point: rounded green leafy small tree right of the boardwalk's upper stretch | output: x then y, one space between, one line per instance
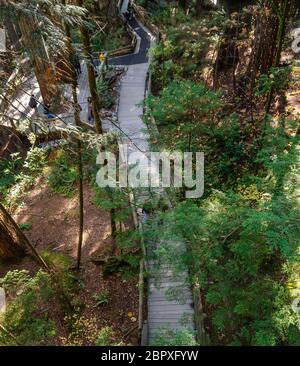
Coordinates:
183 109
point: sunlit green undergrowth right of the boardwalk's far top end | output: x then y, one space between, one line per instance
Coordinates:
180 54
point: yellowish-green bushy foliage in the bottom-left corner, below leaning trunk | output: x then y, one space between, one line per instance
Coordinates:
26 317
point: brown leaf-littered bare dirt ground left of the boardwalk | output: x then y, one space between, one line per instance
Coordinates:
54 226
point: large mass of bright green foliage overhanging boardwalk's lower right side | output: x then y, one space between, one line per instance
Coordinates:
244 249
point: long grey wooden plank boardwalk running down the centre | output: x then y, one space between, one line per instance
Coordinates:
164 313
